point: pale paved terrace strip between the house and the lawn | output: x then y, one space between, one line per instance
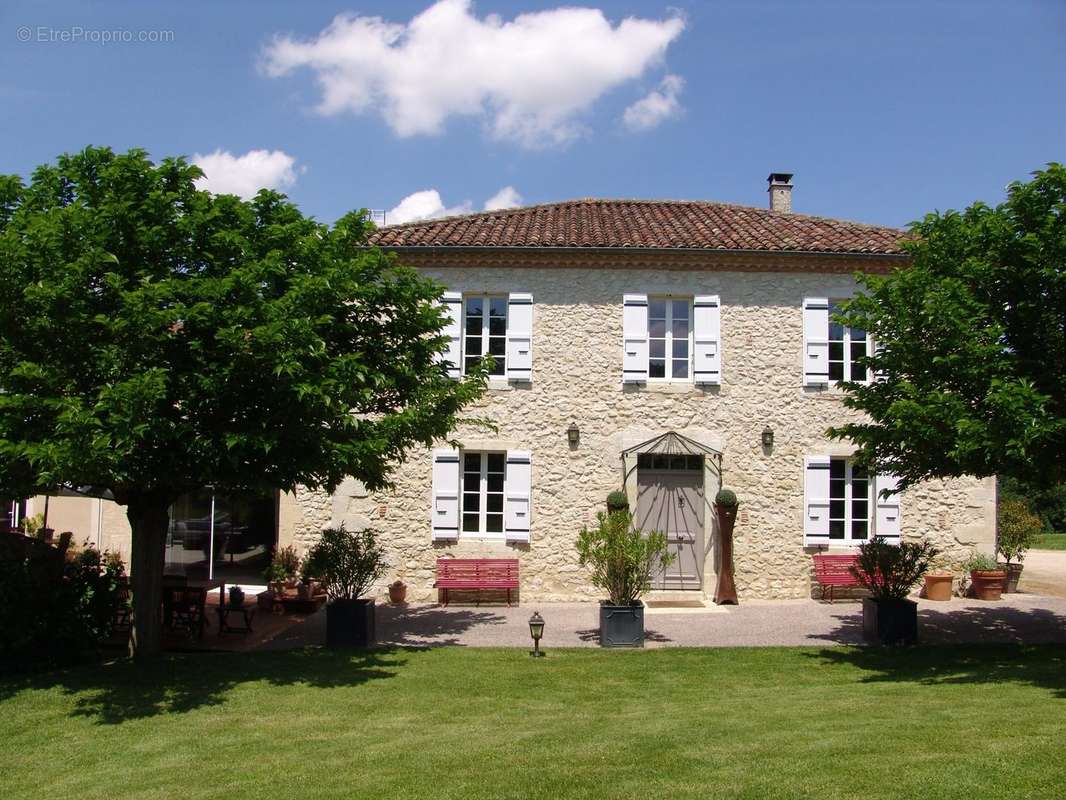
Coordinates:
1019 618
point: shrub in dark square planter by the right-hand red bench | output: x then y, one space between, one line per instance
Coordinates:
890 572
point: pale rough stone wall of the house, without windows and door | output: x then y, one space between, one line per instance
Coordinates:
577 378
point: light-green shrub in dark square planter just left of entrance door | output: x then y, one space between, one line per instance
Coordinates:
623 562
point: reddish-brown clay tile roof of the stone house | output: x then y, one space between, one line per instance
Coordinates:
651 225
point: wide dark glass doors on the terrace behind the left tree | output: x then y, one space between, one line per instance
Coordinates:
236 545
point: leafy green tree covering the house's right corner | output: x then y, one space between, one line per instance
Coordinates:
971 339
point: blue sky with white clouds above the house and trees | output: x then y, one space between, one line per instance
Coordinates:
883 110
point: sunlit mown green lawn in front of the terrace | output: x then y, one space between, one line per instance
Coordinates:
965 723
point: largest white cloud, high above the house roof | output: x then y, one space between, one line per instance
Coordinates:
531 78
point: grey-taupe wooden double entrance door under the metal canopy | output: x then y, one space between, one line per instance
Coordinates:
670 498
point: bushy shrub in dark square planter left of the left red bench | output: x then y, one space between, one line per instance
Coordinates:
347 564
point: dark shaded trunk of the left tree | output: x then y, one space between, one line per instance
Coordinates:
150 520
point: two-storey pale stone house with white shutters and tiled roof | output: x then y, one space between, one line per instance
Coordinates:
665 348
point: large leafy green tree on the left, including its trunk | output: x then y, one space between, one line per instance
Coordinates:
156 339
